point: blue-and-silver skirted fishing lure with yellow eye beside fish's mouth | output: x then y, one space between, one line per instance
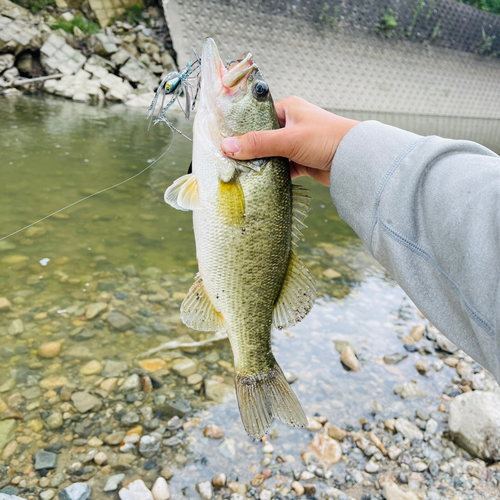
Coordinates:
175 84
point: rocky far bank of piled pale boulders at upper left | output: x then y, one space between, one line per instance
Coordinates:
61 52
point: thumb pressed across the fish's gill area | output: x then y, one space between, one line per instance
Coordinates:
258 144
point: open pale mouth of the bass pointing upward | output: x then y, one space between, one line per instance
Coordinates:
218 79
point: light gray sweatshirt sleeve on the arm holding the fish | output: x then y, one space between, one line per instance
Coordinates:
428 210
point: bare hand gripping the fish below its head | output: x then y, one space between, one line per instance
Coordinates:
309 138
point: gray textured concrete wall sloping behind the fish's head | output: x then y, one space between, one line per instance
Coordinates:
342 65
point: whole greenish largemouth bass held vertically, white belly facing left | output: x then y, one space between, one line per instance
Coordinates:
247 216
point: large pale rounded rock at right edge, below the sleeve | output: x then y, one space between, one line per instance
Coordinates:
475 421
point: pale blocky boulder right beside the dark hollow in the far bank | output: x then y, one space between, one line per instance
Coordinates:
57 56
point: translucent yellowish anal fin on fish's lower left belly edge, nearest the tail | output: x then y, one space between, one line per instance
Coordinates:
198 311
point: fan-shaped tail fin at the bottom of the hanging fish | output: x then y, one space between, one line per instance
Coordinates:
263 397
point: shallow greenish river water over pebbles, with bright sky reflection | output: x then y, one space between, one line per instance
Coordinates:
125 250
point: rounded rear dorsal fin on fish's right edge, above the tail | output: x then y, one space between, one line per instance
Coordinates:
297 295
